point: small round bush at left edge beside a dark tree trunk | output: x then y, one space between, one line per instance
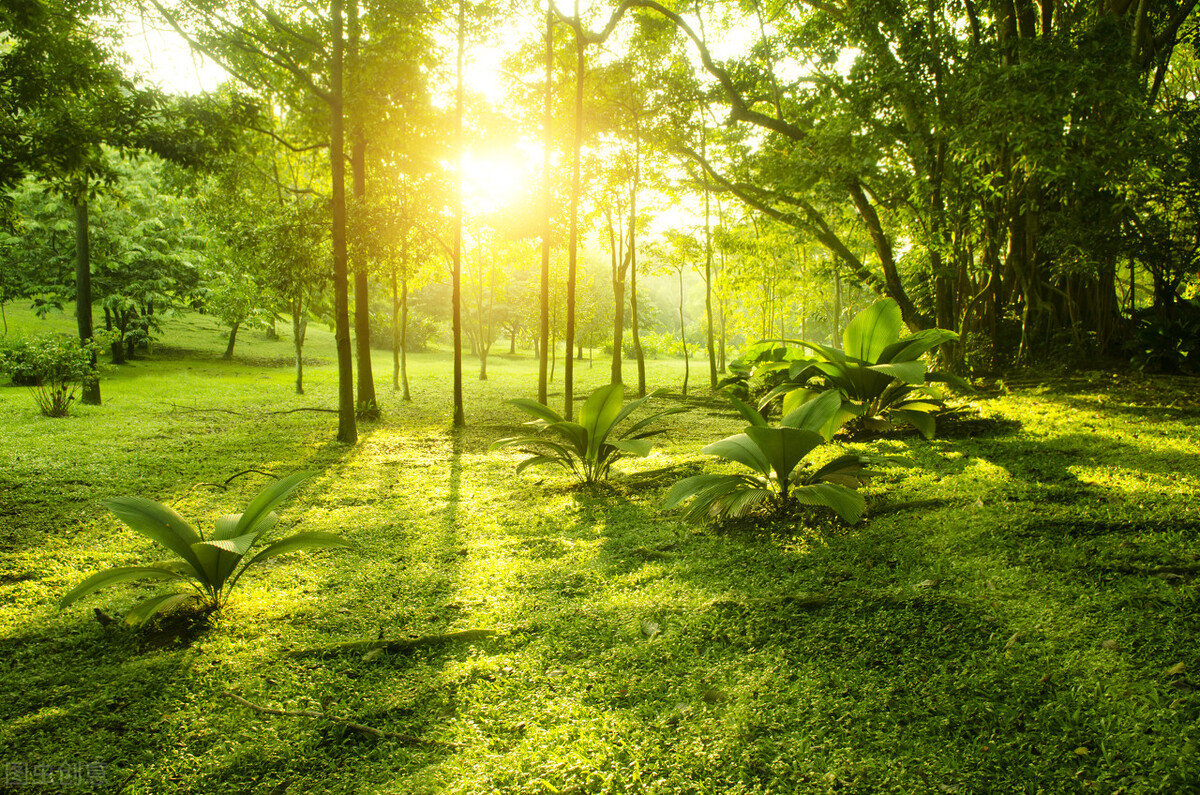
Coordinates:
55 367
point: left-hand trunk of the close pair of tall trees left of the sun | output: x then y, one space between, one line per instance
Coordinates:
347 423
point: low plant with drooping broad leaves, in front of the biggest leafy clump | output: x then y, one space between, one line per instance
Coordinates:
777 457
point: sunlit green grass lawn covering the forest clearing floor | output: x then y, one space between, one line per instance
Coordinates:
1018 612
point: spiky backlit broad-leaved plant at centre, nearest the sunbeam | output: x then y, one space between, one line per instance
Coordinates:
589 449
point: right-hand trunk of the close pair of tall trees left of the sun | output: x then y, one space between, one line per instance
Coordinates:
368 401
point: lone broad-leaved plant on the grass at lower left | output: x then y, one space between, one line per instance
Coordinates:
209 567
